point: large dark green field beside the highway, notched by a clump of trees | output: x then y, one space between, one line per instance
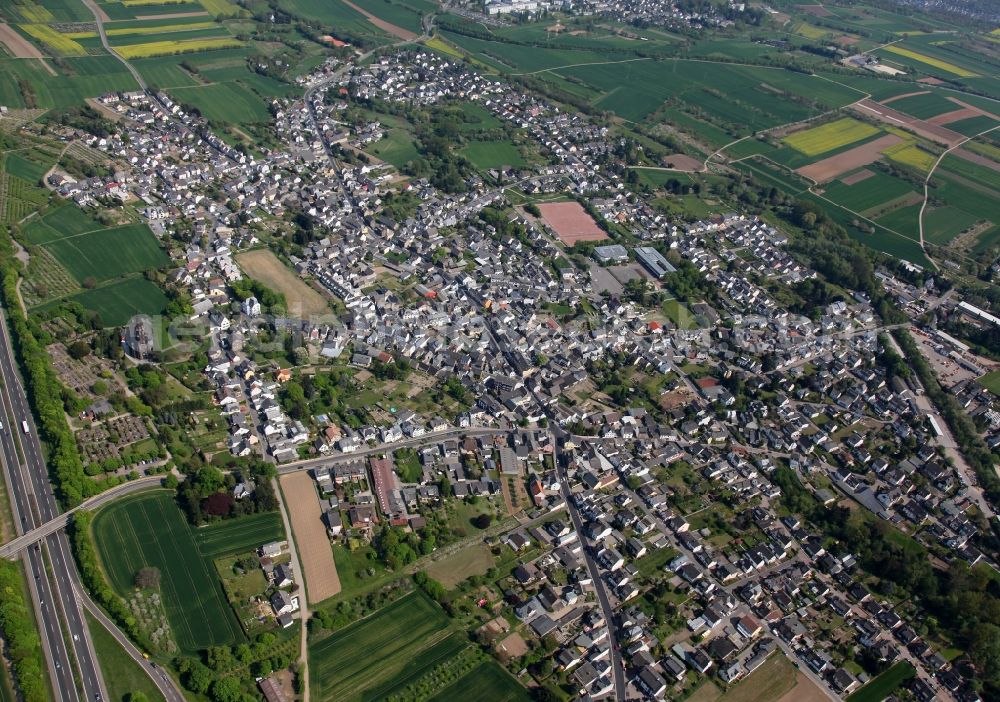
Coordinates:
147 529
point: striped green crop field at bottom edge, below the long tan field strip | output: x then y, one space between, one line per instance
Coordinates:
374 657
